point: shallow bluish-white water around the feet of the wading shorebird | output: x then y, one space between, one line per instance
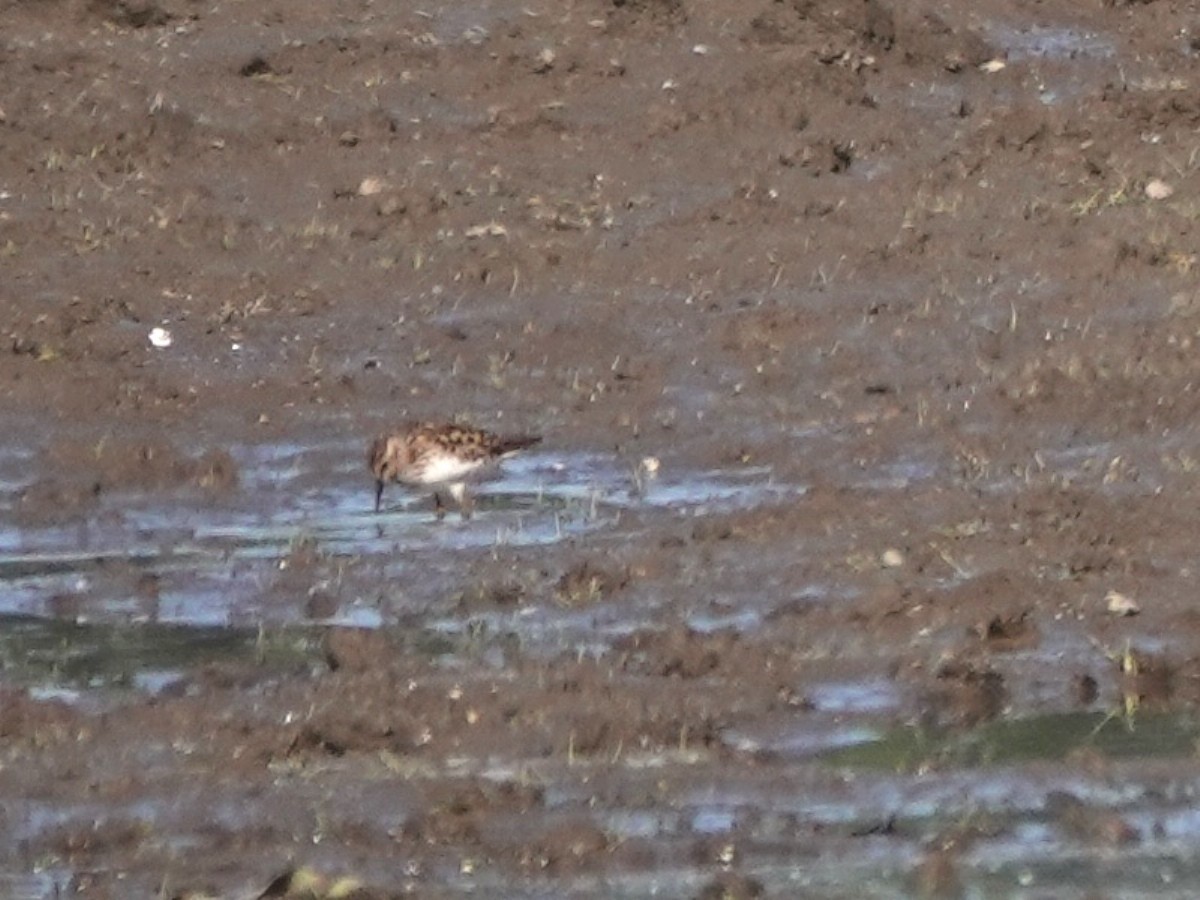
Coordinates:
211 562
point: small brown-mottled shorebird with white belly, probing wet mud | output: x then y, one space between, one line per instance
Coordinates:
440 457
